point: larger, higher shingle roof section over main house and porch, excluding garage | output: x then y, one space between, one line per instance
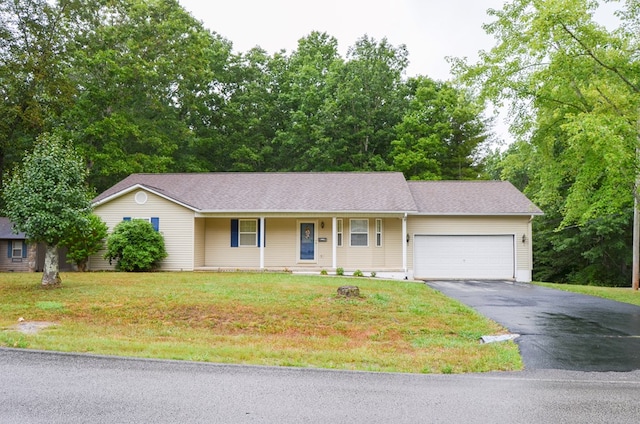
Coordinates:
278 192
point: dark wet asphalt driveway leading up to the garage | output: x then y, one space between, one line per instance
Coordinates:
558 330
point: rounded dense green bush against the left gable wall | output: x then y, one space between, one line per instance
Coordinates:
135 246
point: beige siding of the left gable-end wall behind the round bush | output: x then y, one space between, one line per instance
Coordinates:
176 225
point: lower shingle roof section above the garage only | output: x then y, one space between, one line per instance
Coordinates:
470 198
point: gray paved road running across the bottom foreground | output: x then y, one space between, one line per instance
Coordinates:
44 387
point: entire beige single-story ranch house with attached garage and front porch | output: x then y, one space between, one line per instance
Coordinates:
368 221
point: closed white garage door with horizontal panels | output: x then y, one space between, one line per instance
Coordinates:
464 256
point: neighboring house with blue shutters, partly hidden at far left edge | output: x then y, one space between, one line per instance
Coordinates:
16 254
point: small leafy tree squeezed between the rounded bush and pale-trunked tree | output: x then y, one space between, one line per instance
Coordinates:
85 241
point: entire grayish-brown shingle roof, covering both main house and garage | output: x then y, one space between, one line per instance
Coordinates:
329 192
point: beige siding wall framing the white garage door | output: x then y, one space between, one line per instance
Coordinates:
466 225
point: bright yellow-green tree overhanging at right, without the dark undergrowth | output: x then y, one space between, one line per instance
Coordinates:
574 89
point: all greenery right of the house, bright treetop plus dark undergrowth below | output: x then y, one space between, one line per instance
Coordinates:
574 91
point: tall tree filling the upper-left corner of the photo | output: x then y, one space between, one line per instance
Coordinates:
35 88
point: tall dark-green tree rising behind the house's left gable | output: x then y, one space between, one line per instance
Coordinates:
148 91
